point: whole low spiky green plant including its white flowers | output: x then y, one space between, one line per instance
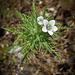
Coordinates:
36 32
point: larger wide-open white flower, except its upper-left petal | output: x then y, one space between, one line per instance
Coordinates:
50 28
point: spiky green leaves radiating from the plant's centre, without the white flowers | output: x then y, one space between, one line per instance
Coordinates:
31 35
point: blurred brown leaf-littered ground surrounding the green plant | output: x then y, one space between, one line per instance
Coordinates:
63 11
